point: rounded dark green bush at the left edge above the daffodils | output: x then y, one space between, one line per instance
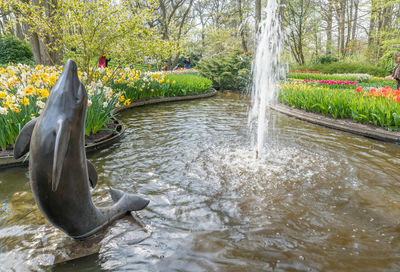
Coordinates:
15 51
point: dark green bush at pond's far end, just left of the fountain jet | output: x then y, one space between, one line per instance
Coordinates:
228 72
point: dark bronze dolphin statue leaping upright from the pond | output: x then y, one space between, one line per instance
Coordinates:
59 172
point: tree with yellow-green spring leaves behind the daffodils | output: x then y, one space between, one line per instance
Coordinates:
86 30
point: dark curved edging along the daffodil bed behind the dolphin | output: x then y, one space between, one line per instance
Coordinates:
9 161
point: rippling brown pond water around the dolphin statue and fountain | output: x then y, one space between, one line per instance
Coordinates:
318 199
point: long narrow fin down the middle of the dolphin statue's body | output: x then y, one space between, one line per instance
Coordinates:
60 150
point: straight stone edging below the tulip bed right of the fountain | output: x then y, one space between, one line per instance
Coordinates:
346 125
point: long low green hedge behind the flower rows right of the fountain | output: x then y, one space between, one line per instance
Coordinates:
341 67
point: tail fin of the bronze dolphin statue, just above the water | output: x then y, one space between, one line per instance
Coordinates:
127 201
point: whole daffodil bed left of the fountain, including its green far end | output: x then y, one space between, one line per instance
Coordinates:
24 91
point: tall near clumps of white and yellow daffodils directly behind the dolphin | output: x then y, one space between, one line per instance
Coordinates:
24 92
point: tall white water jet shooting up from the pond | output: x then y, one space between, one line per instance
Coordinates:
266 74
